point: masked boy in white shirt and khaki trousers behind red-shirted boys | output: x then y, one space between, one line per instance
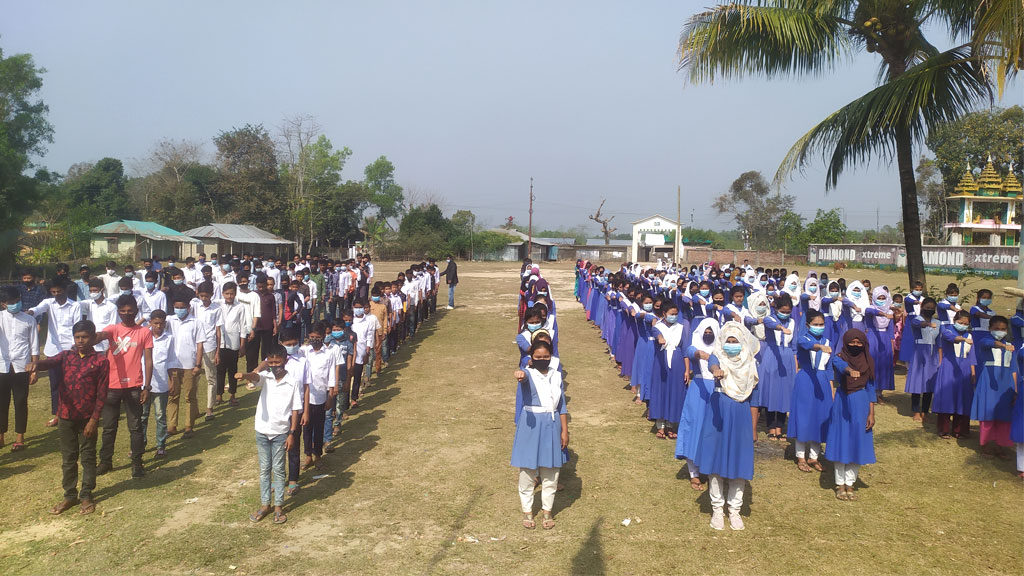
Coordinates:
189 338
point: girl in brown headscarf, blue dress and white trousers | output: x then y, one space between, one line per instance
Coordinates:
850 442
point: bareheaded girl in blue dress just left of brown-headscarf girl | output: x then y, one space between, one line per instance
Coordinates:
813 393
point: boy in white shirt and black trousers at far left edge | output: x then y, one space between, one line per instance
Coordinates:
19 348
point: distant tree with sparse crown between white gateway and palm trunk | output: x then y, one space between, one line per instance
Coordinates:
756 209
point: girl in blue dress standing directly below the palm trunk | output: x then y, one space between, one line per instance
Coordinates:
924 363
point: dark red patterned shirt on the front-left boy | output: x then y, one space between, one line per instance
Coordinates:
83 392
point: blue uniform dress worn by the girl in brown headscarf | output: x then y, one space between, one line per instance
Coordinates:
847 442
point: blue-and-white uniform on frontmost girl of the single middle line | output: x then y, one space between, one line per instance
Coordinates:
538 433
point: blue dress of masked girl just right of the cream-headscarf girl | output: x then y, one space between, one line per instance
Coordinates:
778 371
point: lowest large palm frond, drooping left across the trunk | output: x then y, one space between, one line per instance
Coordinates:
942 90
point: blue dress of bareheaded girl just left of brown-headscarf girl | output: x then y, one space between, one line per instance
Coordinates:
813 398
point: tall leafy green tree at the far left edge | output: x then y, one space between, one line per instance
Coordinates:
24 133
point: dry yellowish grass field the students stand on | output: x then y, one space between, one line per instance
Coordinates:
421 483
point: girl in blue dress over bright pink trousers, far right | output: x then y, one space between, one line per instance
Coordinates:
994 397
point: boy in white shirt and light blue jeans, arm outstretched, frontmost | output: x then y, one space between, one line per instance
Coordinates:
277 422
